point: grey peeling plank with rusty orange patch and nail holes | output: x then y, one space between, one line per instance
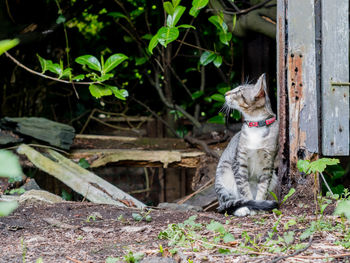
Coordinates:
301 75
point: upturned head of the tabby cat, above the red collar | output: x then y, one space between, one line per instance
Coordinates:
250 99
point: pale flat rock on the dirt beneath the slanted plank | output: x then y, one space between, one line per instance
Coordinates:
39 197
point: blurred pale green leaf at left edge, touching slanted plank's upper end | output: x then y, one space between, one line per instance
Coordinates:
9 164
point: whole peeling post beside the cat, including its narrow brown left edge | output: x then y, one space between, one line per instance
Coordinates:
297 72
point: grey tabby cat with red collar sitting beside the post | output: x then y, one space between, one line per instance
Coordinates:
245 173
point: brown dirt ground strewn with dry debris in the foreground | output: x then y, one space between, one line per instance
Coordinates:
86 232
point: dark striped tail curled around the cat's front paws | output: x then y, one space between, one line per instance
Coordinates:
231 205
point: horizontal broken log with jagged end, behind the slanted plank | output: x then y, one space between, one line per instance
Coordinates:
159 158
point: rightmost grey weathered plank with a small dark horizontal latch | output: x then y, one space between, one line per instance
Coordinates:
335 68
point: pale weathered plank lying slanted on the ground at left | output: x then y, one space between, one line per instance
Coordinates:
84 182
